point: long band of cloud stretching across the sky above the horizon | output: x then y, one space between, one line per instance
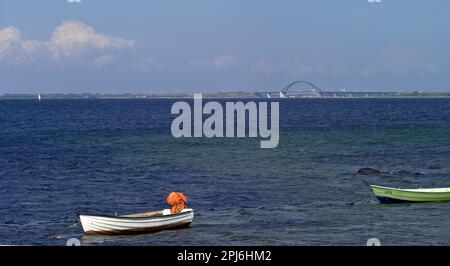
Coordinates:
75 41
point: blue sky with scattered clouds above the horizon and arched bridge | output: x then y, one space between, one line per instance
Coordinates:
131 46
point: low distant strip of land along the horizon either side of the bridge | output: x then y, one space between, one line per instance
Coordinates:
238 94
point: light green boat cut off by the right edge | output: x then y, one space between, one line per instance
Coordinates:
398 195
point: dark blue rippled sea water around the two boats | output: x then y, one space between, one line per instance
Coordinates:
59 158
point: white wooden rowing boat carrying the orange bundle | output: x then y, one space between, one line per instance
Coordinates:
136 223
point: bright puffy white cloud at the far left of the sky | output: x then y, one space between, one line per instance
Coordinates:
70 39
